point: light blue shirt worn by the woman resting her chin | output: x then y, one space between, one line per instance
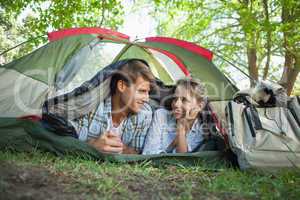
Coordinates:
162 132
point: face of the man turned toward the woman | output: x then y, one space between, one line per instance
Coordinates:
135 95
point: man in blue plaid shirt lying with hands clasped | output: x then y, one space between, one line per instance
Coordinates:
121 121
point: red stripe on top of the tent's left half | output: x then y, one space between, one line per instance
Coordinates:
57 35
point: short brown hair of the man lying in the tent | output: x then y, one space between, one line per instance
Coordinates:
129 72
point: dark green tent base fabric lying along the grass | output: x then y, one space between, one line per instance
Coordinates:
27 135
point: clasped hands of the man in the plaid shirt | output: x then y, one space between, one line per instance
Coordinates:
108 142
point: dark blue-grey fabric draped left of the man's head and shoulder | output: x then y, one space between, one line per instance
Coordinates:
85 98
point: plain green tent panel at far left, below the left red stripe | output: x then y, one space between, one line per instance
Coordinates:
44 63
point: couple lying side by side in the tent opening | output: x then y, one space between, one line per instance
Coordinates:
124 122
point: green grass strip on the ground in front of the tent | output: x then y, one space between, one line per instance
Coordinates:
144 181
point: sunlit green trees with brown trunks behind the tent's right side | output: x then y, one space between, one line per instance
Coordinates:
248 32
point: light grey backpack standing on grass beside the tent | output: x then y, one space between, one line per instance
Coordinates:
264 136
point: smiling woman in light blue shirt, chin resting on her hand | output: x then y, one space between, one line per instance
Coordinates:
180 129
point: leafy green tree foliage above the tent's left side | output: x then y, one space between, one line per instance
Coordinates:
34 18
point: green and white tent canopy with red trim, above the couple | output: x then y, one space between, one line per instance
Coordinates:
75 55
